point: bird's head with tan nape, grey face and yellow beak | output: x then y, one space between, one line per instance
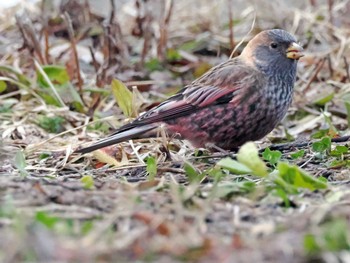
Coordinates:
273 50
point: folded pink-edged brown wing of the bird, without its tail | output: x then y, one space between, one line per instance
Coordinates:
220 85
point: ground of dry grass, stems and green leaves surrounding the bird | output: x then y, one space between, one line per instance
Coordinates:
161 200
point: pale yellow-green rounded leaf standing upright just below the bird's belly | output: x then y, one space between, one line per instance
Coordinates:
248 155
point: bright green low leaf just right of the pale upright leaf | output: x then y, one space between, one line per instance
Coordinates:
293 175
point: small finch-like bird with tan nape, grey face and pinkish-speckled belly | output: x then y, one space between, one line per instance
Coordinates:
239 100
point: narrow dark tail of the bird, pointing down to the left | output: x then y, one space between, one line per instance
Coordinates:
133 133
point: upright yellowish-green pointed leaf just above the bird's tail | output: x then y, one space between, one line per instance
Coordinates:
123 96
